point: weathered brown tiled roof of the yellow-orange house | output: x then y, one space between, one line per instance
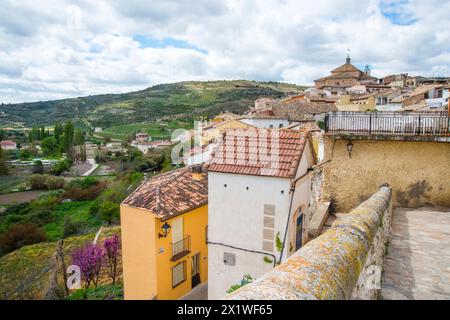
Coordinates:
171 194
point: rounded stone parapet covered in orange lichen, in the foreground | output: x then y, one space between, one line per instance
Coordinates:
335 265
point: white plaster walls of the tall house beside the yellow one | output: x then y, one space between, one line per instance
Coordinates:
236 218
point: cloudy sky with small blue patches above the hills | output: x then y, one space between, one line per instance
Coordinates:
60 48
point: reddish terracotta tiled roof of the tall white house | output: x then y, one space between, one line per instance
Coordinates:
261 152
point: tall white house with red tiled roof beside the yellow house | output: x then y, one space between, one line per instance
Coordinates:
259 188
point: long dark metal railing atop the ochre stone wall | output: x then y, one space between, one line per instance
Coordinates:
388 123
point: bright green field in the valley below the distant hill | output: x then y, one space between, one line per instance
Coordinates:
157 130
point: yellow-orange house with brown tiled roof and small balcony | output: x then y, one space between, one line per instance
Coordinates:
164 228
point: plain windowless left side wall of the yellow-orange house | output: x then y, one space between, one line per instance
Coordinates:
138 253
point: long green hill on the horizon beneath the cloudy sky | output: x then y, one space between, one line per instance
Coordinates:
183 99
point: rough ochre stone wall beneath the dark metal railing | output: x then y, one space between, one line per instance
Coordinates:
418 172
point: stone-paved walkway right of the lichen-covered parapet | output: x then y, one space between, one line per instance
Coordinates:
417 265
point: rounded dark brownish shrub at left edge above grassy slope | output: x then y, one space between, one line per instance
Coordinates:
20 235
